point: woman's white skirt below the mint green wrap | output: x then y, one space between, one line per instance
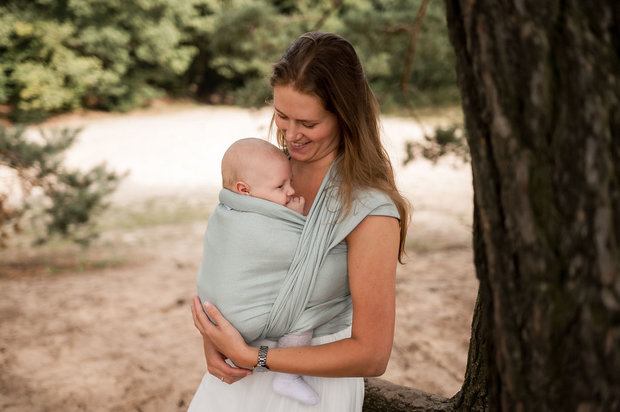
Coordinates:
255 394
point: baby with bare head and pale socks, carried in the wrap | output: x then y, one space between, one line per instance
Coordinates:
257 168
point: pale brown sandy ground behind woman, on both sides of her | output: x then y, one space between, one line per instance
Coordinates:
120 337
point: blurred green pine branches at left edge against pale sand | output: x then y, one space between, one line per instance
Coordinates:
62 202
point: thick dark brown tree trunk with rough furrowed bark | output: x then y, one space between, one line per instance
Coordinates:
540 87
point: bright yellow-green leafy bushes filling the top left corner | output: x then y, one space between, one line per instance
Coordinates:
110 55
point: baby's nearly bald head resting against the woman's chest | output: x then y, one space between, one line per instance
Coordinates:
255 167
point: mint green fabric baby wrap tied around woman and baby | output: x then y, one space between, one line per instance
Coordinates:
272 271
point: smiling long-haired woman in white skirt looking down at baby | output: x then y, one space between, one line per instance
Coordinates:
327 120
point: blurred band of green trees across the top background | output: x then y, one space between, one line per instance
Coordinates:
113 55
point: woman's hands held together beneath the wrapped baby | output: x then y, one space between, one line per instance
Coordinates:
222 341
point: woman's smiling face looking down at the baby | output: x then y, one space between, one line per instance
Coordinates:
311 132
